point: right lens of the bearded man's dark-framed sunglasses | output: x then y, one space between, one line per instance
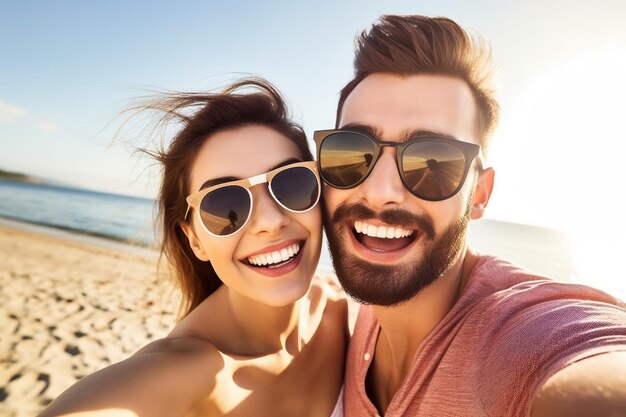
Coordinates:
433 170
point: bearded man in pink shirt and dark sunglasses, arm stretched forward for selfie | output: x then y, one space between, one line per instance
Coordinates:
446 331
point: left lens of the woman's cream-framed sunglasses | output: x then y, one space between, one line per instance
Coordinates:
225 210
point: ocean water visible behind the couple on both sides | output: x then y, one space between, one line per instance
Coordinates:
130 219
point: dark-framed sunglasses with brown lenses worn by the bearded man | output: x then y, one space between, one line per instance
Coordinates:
432 168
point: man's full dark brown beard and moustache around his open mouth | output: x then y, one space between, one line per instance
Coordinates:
395 274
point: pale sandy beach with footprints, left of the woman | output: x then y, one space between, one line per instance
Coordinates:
68 308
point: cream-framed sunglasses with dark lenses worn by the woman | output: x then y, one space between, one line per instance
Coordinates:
225 209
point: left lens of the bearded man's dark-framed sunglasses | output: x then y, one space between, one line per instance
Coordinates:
345 158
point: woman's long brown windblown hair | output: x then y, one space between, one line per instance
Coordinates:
248 101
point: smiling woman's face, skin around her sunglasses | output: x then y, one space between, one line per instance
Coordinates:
242 153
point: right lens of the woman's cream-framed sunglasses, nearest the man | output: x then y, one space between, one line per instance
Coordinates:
296 188
